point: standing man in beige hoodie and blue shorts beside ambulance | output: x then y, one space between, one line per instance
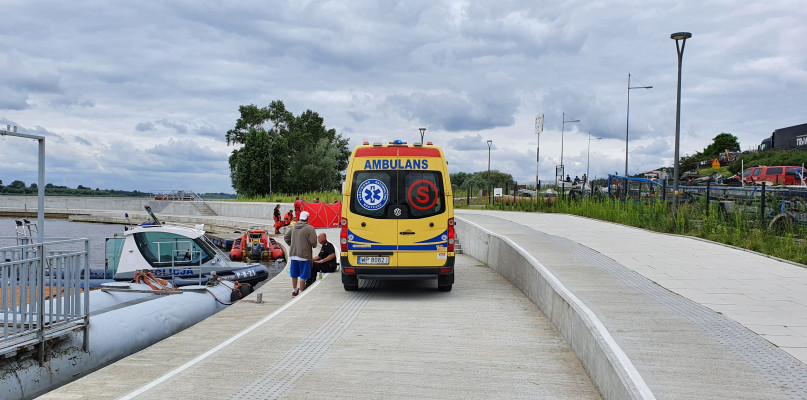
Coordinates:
302 239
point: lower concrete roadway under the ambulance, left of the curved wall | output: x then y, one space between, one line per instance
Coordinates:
402 339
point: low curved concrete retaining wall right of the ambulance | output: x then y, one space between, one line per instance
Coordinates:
607 365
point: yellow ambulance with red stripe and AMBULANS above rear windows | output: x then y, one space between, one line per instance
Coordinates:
397 215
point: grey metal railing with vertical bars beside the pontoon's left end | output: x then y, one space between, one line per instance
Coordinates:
42 293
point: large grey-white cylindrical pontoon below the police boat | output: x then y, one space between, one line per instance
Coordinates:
114 333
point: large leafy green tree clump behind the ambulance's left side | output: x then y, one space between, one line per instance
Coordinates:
304 156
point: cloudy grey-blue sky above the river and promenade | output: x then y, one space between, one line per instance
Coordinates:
139 95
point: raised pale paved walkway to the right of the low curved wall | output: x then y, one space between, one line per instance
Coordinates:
697 319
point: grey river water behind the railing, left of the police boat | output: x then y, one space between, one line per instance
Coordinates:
62 228
